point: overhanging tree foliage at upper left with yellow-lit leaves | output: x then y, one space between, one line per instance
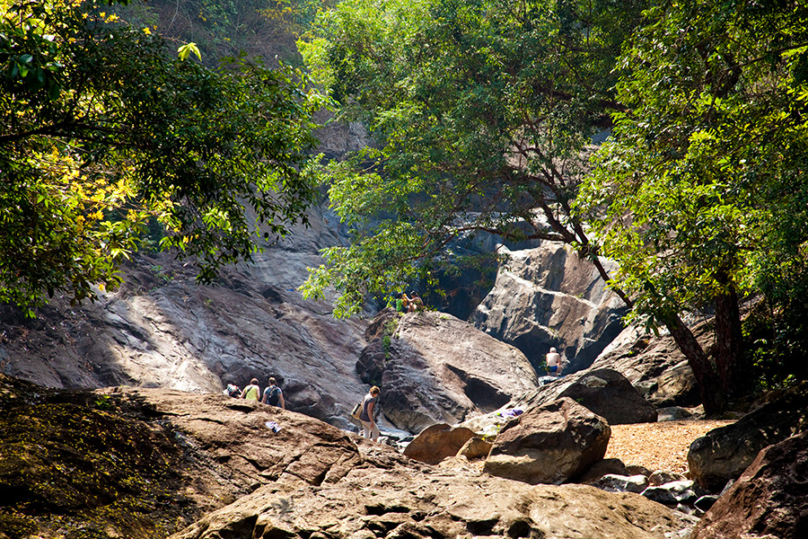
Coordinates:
101 131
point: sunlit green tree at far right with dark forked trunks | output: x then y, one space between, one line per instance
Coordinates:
701 197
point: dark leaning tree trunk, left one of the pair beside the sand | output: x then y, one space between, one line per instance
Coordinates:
710 389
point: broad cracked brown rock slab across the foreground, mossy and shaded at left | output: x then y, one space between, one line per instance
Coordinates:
215 470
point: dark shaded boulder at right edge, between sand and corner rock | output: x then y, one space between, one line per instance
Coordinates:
724 453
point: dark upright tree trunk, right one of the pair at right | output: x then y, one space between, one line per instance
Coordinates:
728 340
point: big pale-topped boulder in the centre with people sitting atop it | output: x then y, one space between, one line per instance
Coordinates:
438 369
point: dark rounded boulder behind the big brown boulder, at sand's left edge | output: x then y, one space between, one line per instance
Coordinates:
610 395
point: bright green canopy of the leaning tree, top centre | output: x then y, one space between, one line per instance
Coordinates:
480 111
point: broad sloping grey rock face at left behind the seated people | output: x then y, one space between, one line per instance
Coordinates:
162 330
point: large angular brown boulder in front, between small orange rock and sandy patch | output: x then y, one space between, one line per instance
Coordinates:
552 444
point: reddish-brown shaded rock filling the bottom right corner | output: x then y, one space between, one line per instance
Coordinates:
770 499
